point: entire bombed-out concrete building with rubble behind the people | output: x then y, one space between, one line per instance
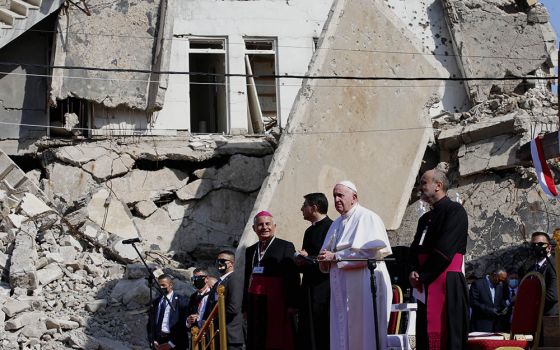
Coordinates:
176 120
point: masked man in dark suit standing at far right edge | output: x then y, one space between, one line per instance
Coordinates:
545 264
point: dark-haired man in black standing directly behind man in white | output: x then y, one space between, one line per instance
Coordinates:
313 326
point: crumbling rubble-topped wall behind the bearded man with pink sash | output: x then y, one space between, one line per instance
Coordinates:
498 189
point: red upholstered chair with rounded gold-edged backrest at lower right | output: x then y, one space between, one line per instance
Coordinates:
526 318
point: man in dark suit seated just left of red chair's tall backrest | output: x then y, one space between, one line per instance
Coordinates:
488 302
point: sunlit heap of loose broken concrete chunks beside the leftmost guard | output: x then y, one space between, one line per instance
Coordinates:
59 291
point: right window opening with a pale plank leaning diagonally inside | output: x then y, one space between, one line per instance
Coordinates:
255 126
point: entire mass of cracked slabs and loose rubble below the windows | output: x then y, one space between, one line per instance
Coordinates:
67 279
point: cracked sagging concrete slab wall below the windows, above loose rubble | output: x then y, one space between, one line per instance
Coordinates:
182 196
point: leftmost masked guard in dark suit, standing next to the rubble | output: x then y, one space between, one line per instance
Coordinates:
166 325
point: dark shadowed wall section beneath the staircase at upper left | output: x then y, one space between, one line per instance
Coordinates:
23 96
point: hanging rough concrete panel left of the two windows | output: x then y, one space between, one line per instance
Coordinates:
90 41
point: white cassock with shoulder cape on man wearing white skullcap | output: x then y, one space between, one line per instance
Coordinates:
360 233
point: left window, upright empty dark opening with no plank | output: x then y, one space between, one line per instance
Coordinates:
210 41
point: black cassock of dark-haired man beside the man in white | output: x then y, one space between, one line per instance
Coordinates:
314 326
